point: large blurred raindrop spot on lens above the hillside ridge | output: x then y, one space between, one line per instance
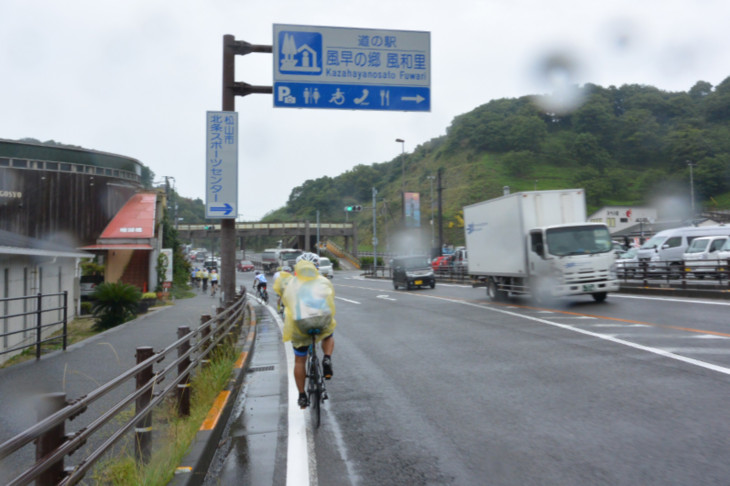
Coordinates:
557 73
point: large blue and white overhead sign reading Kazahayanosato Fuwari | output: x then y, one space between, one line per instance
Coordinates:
351 69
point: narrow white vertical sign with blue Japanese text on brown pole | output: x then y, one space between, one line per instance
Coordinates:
221 168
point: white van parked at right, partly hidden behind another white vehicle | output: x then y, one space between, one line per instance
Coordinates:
665 250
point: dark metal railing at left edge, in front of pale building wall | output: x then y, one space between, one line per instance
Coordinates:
39 327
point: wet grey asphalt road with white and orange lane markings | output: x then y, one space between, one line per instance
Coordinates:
441 386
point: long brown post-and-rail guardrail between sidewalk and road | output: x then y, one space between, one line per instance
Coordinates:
53 445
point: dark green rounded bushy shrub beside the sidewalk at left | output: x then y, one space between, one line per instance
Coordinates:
114 304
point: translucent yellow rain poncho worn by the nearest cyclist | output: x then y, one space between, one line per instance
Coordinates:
309 302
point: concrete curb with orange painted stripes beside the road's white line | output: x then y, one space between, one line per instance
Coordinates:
194 466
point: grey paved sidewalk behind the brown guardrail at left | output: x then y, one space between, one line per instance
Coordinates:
85 366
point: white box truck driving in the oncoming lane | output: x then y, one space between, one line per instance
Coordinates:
539 243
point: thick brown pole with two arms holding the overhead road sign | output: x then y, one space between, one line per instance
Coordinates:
231 89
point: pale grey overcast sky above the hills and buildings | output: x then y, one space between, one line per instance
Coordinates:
135 77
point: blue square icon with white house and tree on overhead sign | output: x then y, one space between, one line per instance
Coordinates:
301 53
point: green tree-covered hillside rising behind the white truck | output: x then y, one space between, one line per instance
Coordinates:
623 145
